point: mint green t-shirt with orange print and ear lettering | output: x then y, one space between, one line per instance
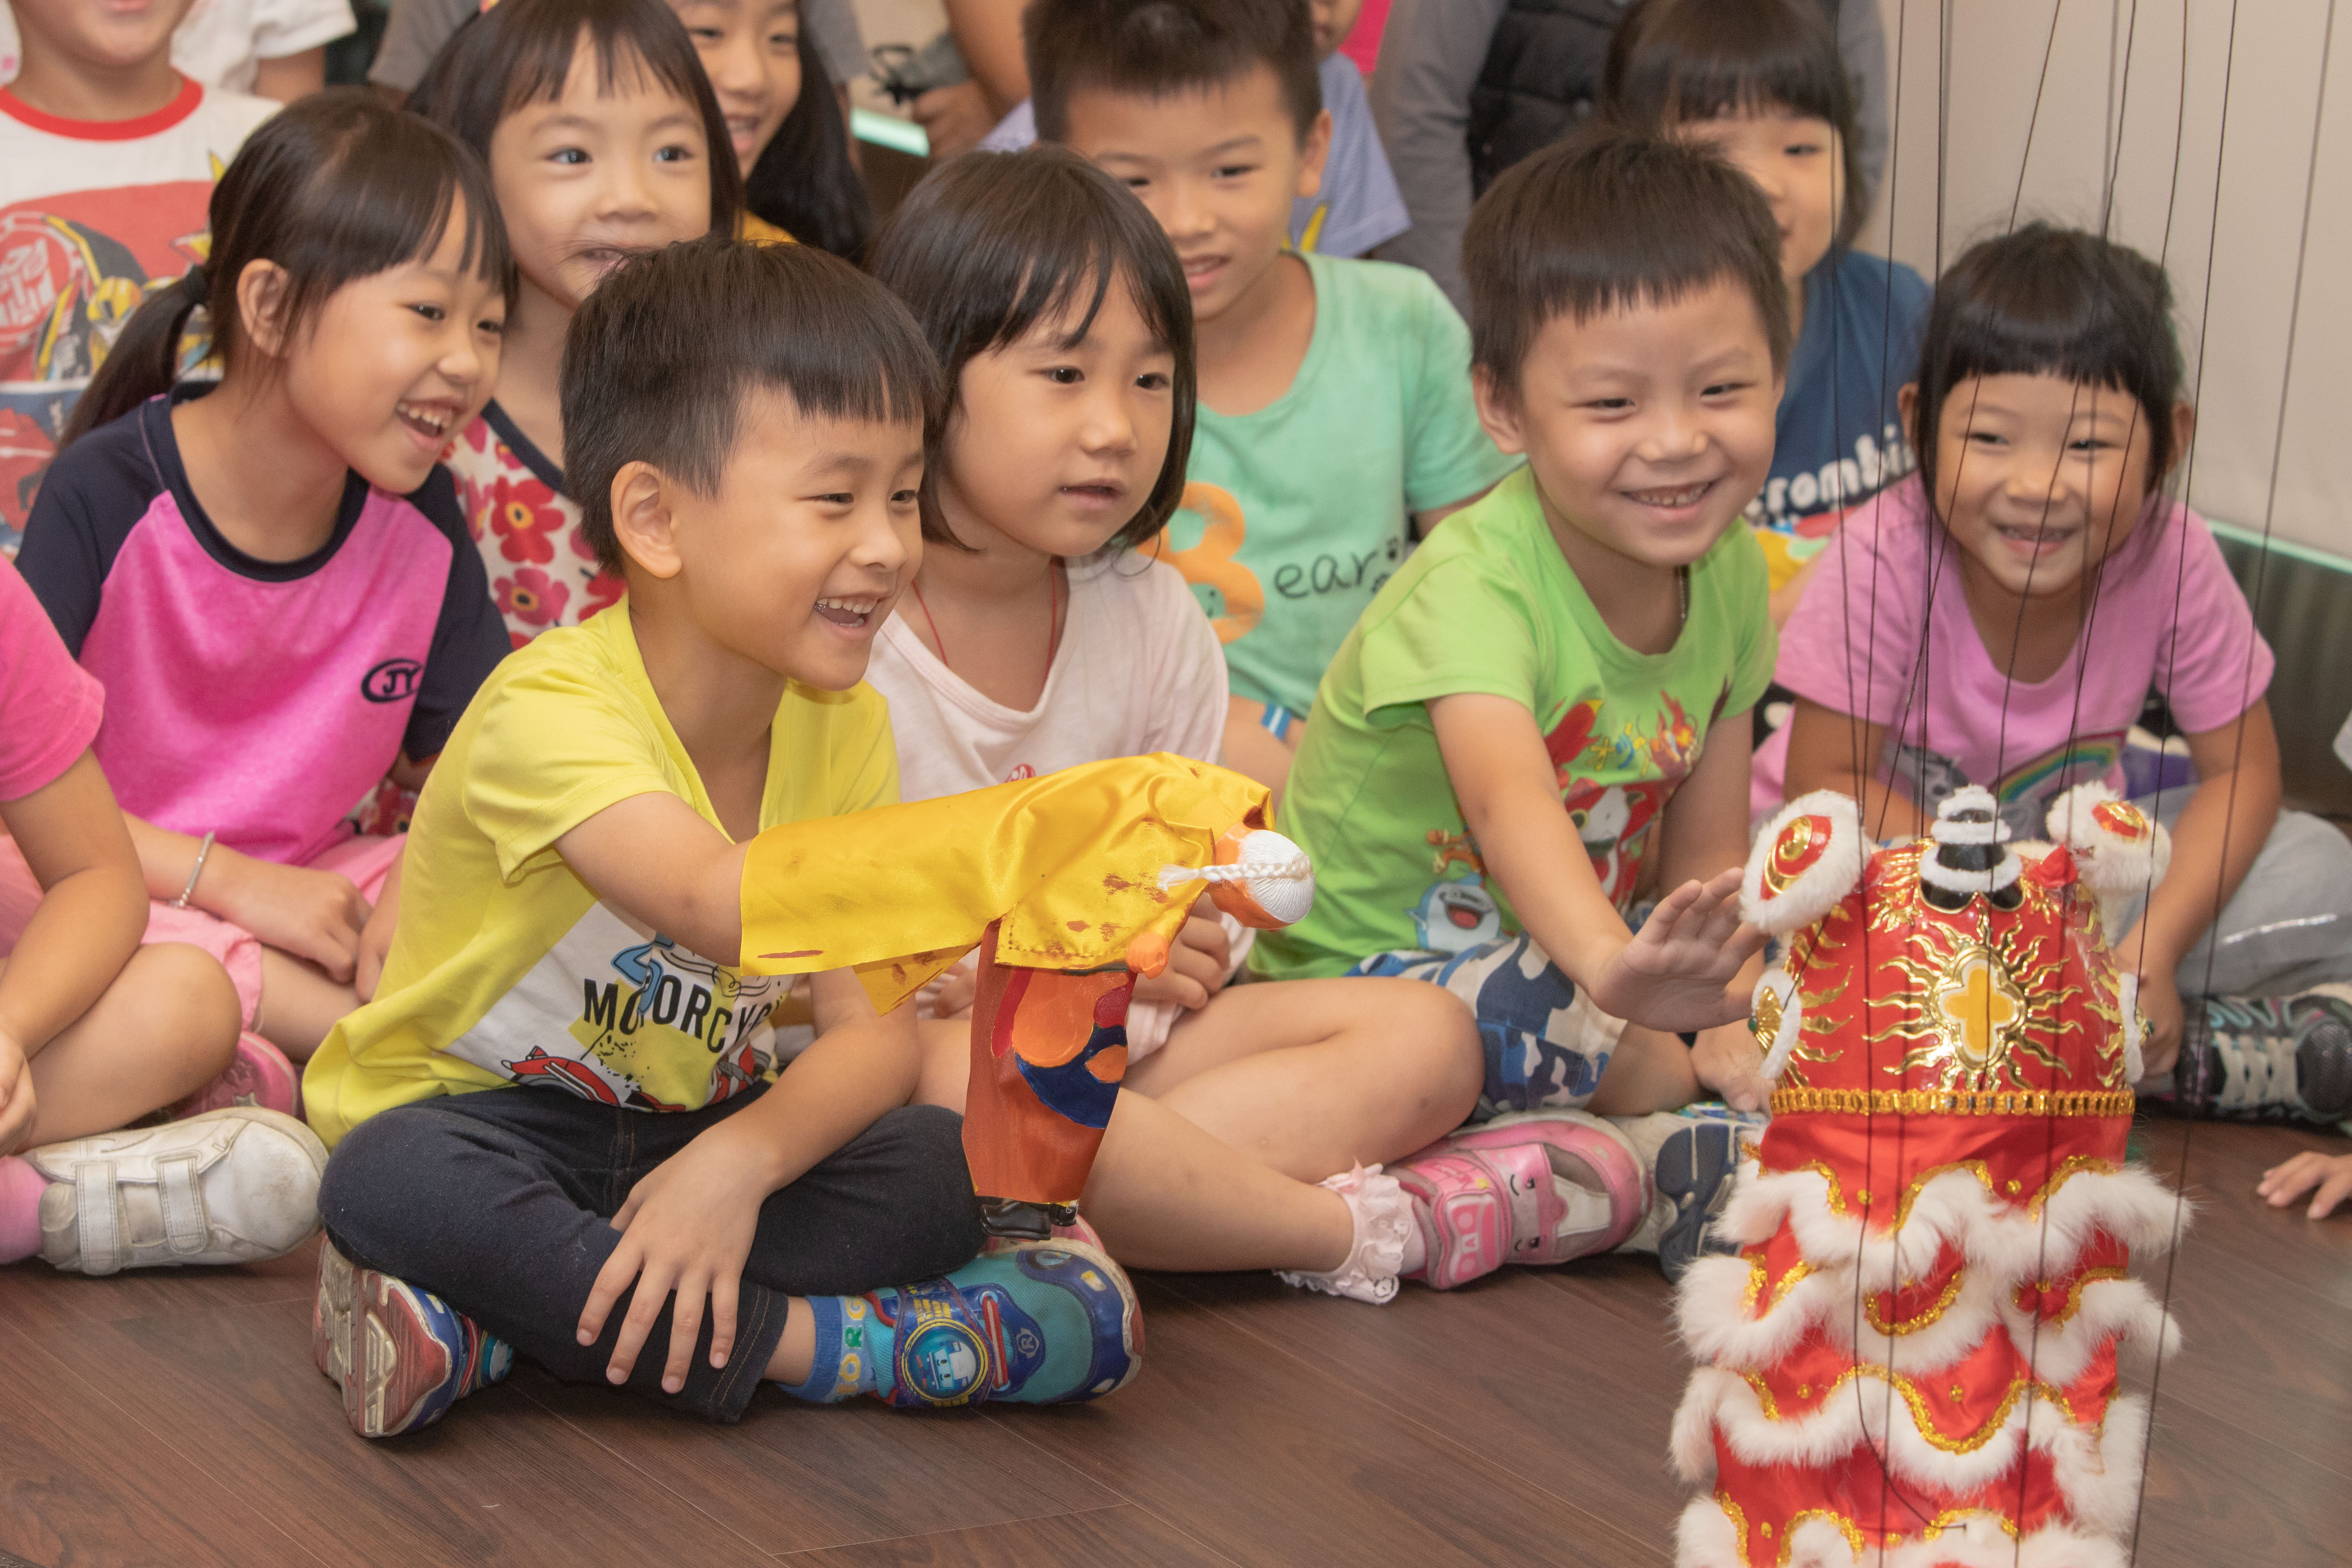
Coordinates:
1295 516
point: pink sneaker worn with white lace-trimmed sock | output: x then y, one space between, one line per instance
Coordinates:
1528 1188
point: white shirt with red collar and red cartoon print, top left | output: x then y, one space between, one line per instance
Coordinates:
95 215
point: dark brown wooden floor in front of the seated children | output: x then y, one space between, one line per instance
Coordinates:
175 1419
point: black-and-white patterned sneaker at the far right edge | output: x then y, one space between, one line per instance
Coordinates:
2269 1059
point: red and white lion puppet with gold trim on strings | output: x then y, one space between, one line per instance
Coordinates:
1913 1358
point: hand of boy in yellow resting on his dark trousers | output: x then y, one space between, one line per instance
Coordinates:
686 1228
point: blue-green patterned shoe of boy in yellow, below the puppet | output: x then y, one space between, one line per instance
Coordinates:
1027 1322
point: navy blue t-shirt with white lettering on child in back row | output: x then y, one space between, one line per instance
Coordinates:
1838 434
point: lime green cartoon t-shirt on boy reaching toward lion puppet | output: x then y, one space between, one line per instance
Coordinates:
1490 605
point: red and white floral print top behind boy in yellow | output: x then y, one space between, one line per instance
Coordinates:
542 572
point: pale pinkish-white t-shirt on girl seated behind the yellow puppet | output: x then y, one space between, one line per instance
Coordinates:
1137 671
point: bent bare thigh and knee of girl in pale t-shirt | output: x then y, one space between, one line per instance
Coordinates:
1318 1076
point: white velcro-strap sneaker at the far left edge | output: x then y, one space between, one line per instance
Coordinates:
232 1186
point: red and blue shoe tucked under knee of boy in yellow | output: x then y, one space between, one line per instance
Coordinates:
401 1355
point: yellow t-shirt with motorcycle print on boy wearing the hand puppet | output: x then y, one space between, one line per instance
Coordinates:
507 967
